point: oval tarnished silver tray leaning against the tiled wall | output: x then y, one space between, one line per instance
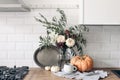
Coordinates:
47 56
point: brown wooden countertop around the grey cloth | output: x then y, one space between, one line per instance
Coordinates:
40 74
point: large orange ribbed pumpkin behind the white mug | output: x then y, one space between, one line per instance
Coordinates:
83 63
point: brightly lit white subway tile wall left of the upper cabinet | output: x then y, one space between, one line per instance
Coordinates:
19 35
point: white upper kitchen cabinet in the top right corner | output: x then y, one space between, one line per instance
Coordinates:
101 12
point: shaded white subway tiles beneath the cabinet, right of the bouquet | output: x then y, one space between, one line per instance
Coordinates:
104 45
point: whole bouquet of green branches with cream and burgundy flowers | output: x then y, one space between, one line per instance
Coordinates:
61 35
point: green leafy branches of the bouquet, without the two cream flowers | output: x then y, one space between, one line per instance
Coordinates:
57 27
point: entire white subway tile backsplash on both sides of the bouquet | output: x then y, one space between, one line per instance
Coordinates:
19 38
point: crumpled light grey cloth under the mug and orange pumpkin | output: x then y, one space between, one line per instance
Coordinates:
93 75
